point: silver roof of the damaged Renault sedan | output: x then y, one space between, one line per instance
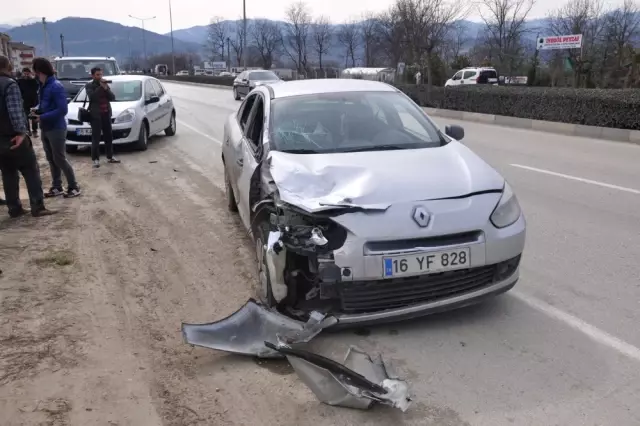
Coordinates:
327 85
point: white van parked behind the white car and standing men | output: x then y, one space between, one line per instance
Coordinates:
75 71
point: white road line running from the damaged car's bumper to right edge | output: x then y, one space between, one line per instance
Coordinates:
589 330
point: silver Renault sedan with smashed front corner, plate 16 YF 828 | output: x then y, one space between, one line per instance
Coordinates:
360 207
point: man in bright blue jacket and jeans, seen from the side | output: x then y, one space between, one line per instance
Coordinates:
51 113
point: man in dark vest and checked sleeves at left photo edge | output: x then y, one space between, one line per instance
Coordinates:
16 150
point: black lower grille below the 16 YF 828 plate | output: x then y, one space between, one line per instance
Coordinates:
371 296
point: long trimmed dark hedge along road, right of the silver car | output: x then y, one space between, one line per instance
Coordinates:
592 107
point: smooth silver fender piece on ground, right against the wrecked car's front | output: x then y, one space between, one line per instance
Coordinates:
245 331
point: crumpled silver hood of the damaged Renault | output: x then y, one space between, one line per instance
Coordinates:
379 179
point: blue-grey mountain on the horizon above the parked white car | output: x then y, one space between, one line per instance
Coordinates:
95 37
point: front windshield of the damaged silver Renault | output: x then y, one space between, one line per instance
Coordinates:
350 122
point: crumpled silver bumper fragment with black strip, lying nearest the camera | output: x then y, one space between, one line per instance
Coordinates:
358 383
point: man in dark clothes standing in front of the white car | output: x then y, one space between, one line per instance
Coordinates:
100 97
